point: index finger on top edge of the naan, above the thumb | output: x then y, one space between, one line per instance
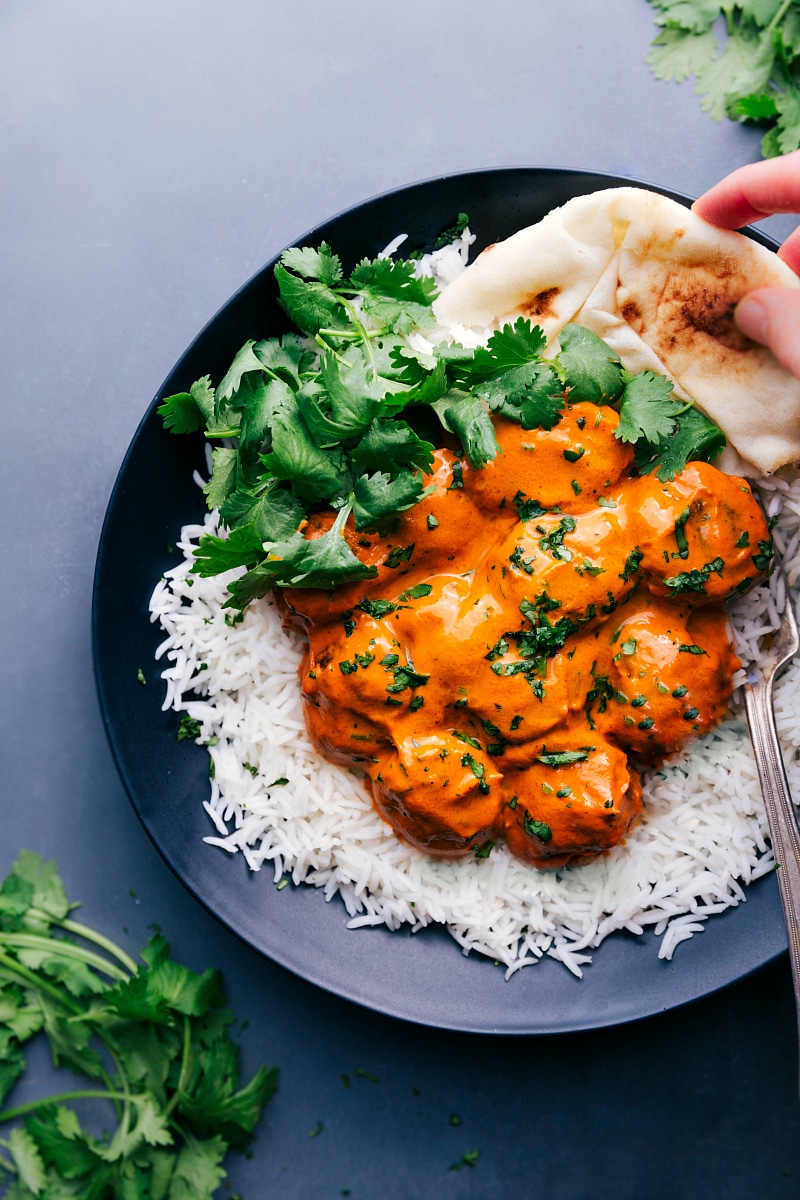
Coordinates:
754 193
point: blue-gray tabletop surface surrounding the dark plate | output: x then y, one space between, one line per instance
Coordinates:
153 155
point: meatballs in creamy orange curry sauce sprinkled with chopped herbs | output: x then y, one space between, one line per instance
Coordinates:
467 730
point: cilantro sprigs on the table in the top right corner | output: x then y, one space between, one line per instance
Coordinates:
756 77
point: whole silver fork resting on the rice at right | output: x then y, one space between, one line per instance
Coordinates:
775 787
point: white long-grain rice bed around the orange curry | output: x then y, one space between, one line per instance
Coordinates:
703 832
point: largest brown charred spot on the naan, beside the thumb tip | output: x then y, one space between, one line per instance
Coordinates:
696 304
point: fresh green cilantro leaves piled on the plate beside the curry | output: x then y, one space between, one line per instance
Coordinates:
339 417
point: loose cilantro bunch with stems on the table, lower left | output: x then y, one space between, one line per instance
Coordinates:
154 1039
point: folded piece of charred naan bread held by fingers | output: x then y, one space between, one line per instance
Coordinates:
660 286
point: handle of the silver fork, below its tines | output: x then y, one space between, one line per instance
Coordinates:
780 815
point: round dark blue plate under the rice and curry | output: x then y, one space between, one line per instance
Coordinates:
420 977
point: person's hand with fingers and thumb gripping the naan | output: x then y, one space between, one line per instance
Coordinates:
771 316
